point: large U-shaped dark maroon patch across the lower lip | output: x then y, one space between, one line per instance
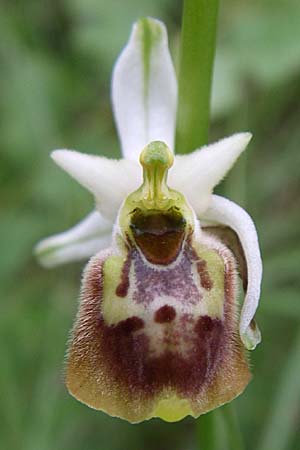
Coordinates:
127 355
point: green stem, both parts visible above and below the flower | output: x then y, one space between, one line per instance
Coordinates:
198 42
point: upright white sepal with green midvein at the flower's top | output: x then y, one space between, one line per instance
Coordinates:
144 89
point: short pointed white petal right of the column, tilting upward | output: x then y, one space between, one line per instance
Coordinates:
196 174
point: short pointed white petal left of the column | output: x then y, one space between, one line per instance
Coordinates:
109 180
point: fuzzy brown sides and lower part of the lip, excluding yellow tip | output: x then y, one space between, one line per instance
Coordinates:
112 368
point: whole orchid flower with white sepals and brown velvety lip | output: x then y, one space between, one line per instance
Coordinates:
159 332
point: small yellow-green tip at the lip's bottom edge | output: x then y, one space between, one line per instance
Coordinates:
172 409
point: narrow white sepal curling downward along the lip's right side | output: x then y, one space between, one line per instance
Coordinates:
223 211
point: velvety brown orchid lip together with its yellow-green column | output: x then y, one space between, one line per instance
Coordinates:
157 333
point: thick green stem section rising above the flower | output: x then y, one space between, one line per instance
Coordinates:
197 53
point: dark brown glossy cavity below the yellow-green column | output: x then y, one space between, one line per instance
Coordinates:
159 234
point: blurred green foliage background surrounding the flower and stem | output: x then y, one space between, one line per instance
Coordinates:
56 60
